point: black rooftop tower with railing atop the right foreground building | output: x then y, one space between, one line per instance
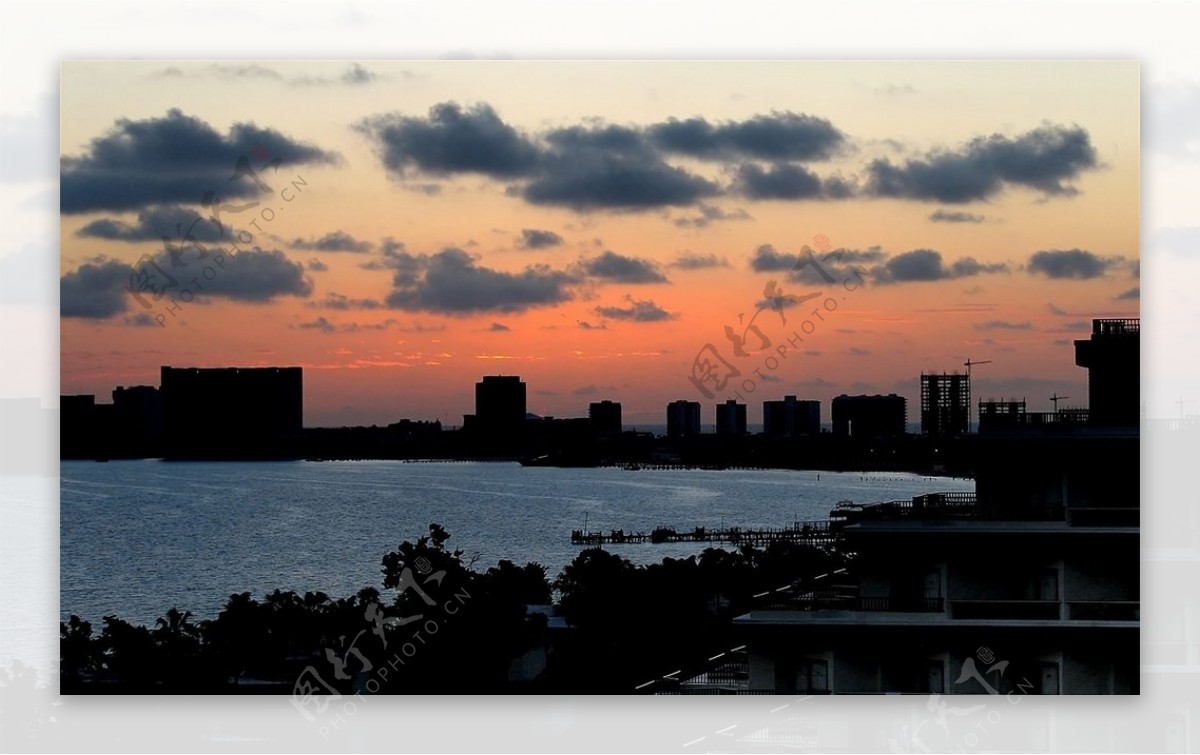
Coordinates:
1113 362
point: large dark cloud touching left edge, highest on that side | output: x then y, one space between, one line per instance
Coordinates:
176 159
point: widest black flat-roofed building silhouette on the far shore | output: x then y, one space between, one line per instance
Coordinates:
232 412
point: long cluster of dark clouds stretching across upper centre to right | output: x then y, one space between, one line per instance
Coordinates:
597 166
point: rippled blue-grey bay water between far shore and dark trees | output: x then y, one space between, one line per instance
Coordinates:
142 537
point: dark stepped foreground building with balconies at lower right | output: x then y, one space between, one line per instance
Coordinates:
1029 586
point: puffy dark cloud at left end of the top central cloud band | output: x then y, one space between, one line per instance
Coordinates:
452 140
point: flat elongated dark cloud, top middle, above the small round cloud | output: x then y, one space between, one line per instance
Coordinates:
778 136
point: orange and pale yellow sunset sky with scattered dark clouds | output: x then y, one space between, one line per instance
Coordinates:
599 229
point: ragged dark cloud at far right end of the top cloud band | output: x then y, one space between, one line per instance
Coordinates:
1043 159
